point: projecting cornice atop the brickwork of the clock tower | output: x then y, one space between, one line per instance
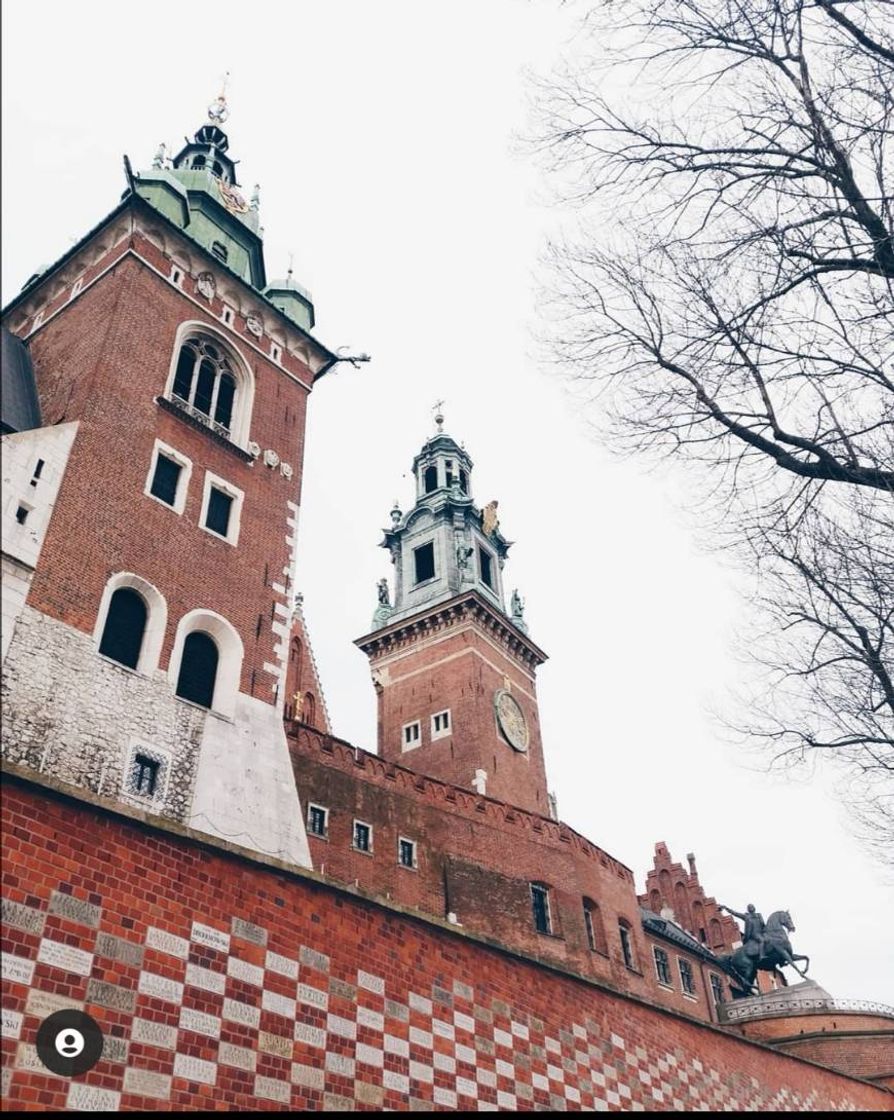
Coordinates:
468 606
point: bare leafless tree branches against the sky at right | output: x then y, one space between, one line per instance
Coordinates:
733 304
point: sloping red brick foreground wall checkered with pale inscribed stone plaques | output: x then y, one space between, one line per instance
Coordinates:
225 983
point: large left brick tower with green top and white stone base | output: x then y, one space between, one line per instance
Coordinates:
153 483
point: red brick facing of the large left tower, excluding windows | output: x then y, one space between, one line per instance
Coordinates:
104 360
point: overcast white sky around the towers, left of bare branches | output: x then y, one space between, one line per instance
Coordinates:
383 137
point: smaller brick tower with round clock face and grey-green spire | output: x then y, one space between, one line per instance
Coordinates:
453 669
